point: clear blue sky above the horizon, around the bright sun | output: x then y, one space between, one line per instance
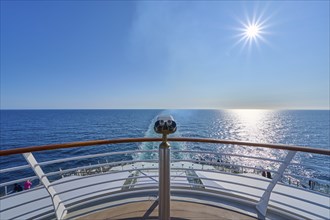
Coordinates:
145 54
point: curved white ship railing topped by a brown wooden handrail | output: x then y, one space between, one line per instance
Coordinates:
193 173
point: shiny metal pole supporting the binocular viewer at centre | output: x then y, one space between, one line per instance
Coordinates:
164 196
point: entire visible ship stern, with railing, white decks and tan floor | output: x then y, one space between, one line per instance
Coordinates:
197 188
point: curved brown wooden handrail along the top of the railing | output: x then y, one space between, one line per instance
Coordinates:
177 139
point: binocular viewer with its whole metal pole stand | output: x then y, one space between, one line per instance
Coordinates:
164 125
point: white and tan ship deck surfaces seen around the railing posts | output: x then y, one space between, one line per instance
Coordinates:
97 199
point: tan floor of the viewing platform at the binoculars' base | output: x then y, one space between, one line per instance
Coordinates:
179 210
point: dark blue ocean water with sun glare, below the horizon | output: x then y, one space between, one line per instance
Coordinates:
23 128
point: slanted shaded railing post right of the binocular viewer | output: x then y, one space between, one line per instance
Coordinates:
264 200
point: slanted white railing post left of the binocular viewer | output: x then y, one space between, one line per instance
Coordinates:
59 207
